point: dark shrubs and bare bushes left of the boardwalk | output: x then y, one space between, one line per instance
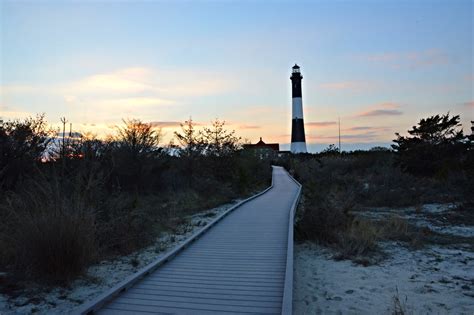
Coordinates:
66 204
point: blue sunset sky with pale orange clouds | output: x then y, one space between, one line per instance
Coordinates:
379 66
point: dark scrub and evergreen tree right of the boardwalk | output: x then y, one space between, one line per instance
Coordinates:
432 165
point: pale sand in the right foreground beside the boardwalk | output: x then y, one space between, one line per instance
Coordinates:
429 281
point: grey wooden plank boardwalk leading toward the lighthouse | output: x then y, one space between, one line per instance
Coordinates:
238 266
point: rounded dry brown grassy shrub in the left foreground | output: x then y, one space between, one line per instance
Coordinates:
46 234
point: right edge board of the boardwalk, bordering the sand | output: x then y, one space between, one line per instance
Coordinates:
287 303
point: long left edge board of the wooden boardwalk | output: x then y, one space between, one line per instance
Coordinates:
94 305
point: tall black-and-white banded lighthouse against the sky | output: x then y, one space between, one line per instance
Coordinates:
298 142
